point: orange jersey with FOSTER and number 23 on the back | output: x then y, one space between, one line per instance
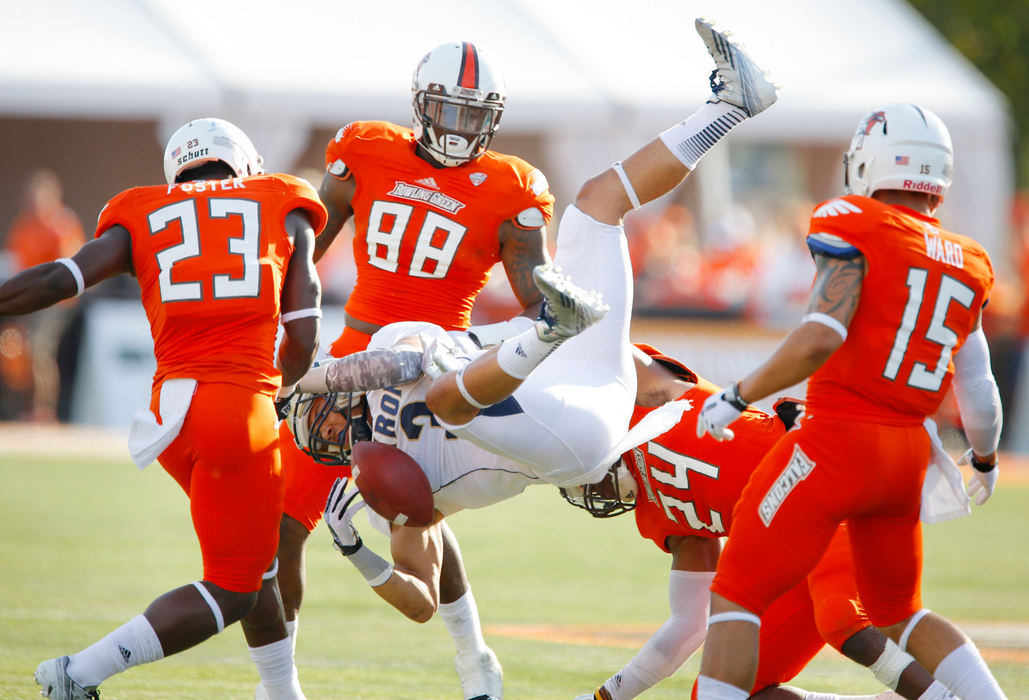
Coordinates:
210 258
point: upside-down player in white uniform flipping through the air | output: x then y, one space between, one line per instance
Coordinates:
561 422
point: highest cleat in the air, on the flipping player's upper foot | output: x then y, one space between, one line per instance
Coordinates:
736 80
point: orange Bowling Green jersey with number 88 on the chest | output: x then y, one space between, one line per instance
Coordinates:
427 238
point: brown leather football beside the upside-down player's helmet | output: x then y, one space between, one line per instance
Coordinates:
393 484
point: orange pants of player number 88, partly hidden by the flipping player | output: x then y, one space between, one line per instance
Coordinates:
308 483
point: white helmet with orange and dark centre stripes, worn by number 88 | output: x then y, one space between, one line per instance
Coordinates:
458 98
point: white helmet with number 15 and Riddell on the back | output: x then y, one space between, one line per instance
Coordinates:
901 147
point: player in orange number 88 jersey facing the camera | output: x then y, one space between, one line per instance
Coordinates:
434 211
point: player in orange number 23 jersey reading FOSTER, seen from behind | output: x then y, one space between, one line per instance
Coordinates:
223 255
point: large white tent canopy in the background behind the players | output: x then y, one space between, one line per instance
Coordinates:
596 77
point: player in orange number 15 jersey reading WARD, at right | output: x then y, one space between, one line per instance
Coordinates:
895 317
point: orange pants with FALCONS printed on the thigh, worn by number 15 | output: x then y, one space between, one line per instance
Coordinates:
815 478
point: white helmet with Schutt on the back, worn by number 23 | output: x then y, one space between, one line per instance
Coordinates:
211 139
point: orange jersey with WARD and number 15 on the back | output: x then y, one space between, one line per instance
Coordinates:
921 297
